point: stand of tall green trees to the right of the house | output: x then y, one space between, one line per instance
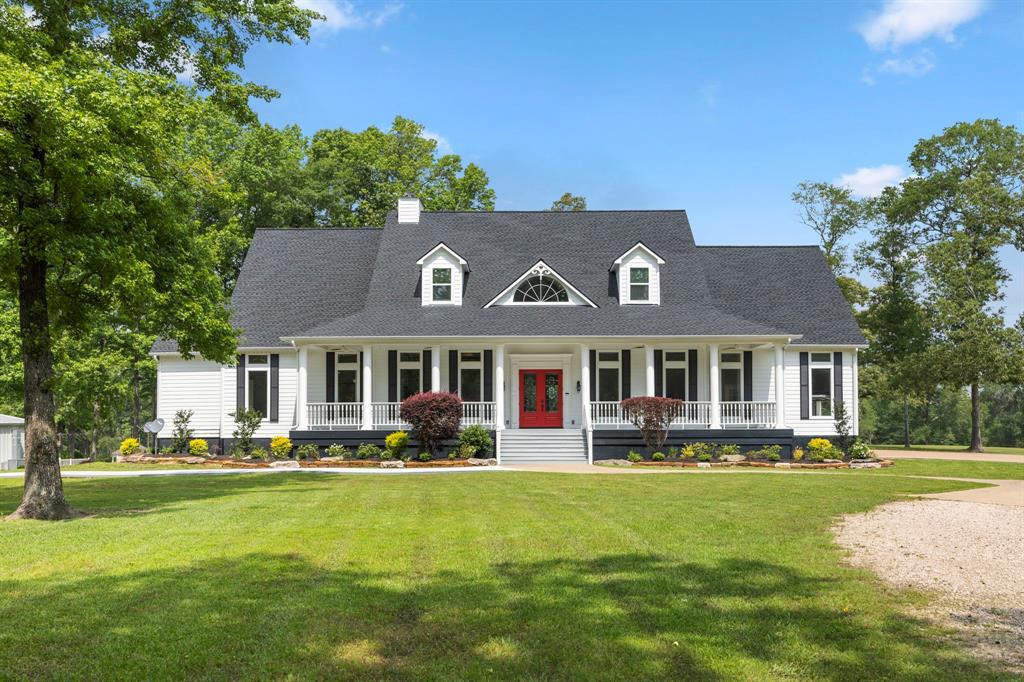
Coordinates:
944 366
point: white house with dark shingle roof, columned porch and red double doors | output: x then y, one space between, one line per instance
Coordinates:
542 322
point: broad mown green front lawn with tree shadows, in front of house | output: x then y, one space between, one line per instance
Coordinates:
485 576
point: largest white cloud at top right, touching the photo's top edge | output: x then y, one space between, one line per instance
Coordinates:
906 22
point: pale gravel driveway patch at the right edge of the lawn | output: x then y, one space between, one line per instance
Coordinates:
971 556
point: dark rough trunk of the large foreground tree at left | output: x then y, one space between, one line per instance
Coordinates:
44 497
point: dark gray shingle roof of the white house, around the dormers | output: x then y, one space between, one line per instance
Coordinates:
365 283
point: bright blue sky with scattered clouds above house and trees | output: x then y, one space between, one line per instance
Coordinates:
719 109
